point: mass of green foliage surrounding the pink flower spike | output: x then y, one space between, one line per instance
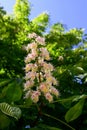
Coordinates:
68 50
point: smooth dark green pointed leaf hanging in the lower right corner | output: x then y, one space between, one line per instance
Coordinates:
75 111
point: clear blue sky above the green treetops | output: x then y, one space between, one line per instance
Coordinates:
69 12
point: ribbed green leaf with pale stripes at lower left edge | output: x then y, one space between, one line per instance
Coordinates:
11 111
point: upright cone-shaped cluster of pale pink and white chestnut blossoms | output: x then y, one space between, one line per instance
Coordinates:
39 81
